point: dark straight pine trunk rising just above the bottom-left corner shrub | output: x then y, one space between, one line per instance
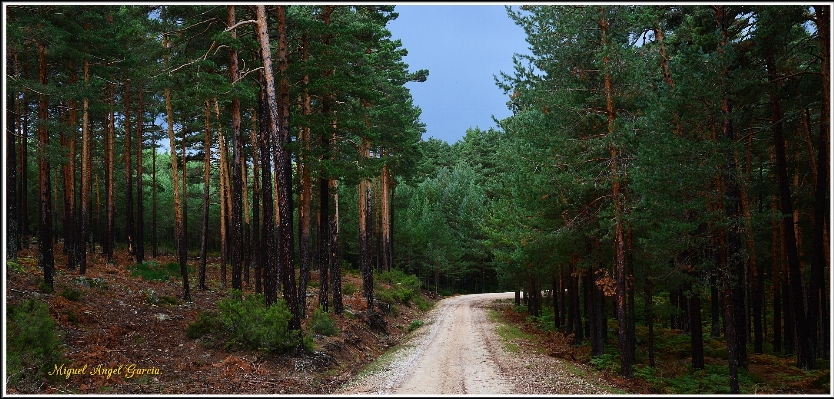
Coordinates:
46 260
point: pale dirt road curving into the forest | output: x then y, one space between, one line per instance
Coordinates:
458 352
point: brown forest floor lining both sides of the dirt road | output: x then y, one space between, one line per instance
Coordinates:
122 320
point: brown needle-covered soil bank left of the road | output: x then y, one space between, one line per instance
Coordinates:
113 326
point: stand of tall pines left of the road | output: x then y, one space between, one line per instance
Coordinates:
204 128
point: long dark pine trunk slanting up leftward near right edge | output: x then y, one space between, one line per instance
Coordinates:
805 354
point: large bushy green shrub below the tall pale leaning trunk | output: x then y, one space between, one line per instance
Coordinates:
248 322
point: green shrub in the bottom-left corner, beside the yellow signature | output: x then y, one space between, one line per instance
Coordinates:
33 345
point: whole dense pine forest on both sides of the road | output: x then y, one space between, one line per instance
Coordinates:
664 165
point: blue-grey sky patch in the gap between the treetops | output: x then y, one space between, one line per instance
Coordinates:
463 47
